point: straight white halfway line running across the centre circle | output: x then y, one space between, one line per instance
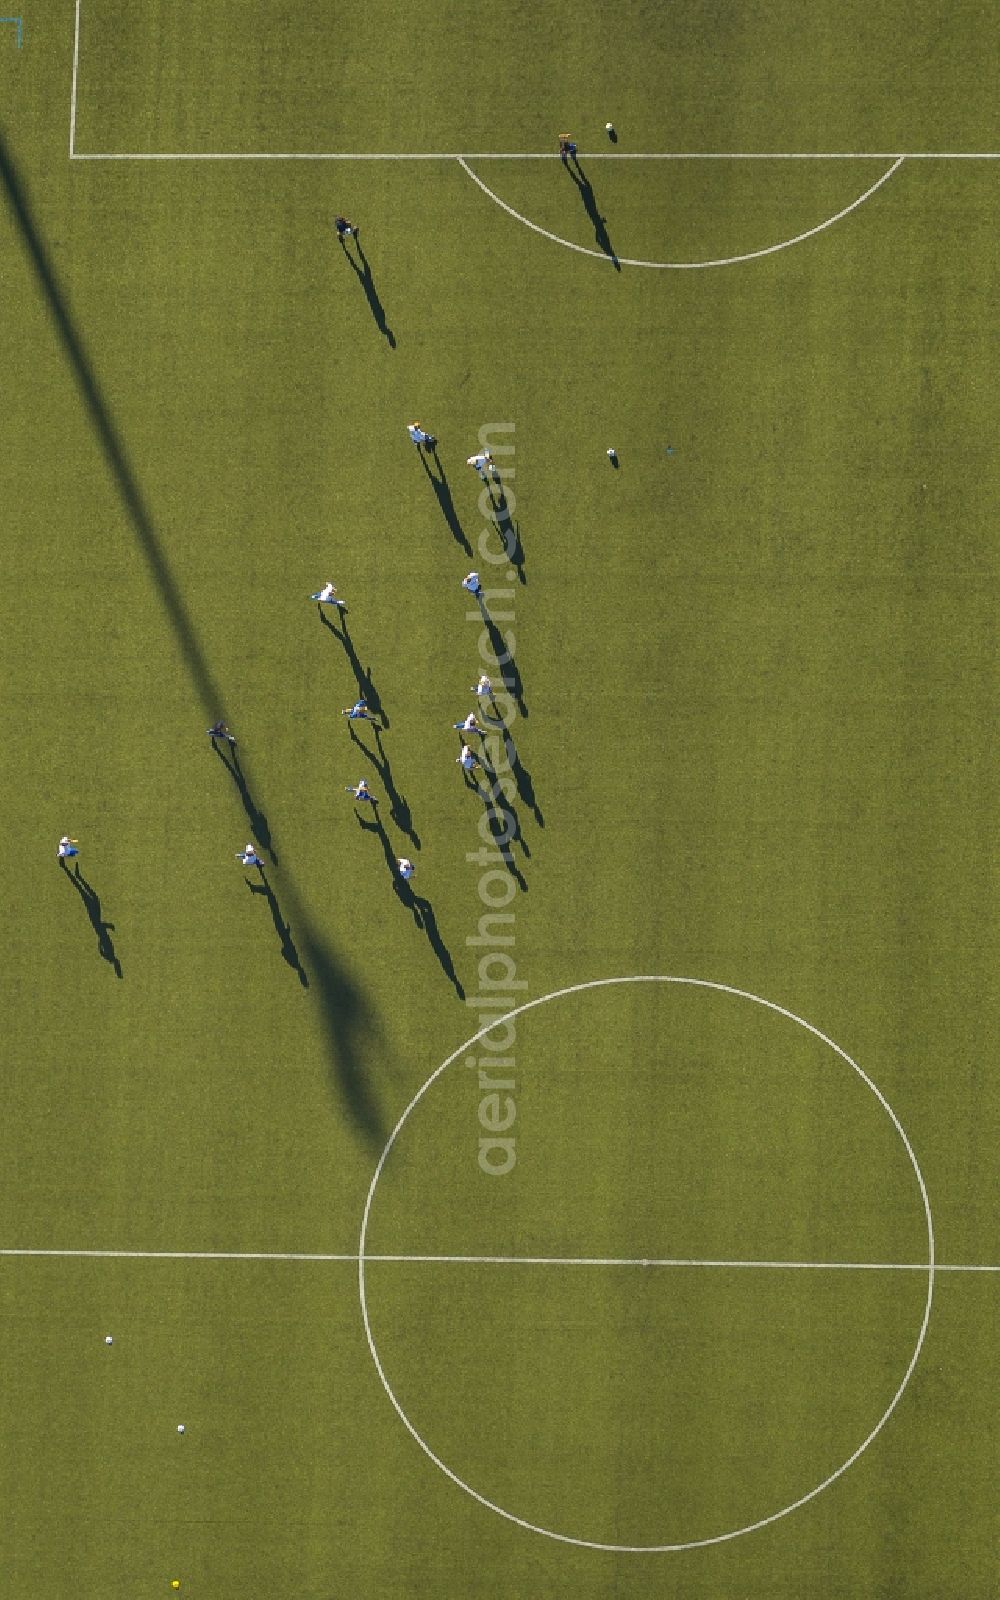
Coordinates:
502 1262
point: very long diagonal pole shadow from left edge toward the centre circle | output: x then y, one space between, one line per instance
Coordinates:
350 1025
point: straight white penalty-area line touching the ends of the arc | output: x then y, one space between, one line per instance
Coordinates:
530 156
